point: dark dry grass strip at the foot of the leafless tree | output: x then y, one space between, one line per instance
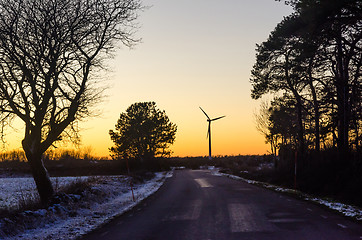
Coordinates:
29 213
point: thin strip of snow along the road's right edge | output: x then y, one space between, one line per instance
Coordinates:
346 210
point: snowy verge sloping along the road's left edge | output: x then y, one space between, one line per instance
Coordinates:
95 214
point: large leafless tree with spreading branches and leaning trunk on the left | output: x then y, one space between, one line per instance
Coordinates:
49 50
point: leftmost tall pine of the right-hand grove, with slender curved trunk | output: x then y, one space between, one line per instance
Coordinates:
276 70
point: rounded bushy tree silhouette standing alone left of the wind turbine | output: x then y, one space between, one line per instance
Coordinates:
142 132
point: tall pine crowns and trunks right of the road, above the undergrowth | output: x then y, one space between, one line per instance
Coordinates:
315 56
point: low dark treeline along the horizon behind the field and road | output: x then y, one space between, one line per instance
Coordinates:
71 163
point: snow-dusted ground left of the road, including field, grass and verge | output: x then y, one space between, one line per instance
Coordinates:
80 205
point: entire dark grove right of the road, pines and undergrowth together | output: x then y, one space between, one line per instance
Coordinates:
311 65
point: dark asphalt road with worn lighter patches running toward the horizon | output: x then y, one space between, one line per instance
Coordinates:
197 205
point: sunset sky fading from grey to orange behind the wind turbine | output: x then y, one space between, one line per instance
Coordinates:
193 53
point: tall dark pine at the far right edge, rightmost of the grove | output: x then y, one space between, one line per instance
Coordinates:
337 26
